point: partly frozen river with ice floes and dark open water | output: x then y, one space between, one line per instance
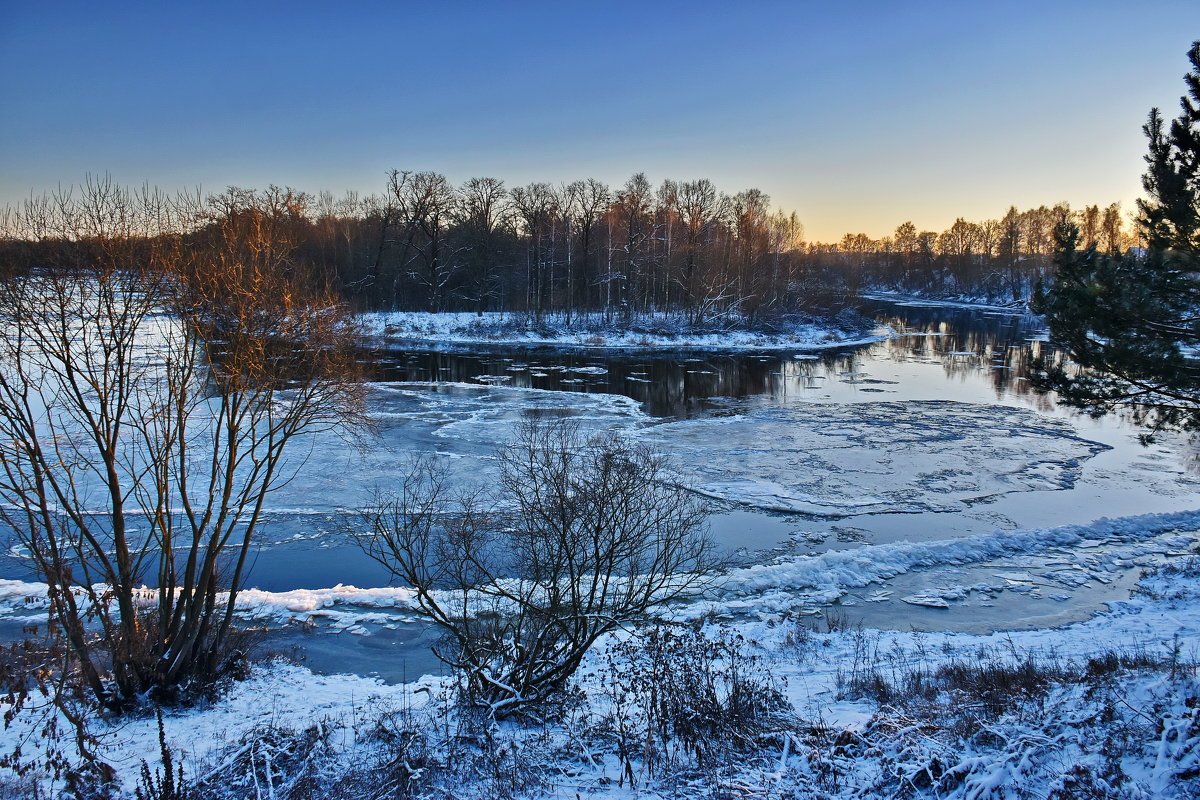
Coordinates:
913 483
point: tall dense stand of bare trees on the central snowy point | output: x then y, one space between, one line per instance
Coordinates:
584 246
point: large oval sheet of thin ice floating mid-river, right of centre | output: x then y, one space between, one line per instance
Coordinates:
845 460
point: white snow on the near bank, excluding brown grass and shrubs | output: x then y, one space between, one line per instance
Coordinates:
1019 756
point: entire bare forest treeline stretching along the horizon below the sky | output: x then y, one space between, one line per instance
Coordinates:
627 251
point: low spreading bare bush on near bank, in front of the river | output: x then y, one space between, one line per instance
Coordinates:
586 536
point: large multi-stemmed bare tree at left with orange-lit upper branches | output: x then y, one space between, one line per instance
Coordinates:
152 380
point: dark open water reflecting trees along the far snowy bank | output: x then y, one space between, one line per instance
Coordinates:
965 344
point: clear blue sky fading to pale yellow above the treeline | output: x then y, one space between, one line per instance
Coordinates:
857 116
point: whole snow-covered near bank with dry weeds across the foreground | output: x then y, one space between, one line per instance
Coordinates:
1113 700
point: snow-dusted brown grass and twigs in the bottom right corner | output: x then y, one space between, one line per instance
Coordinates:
1119 725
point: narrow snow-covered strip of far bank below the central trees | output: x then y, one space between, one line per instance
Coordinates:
661 333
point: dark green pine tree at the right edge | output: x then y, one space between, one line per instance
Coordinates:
1131 323
